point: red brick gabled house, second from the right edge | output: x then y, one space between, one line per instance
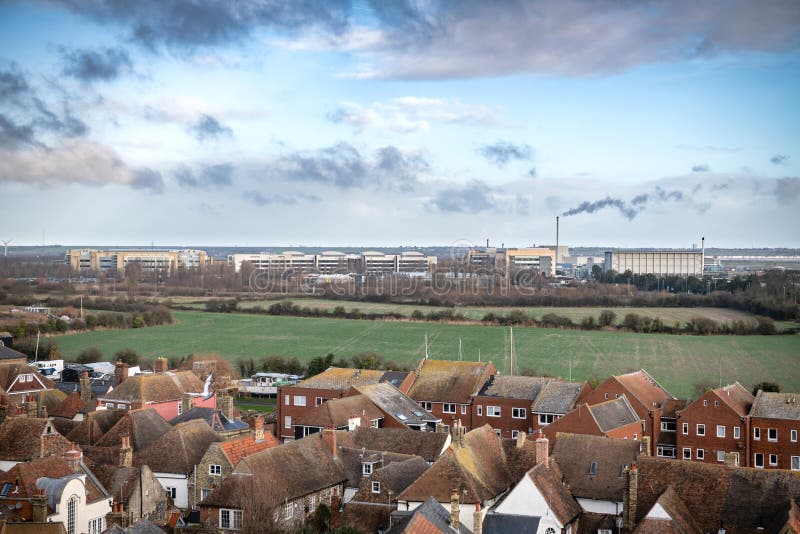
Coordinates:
713 425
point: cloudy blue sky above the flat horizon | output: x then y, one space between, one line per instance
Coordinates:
410 122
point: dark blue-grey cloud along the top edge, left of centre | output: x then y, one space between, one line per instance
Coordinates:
188 24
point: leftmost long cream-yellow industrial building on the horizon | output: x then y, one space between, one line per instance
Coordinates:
149 260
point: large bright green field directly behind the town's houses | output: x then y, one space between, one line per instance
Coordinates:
678 362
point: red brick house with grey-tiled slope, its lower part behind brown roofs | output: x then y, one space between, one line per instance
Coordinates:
614 418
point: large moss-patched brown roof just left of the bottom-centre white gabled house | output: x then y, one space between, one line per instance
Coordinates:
480 467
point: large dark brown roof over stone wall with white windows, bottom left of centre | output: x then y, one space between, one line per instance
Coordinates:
292 470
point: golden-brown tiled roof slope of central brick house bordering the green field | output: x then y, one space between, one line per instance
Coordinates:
448 381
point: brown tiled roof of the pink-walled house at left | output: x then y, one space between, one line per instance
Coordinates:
156 388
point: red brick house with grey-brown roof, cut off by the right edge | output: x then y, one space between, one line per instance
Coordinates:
773 427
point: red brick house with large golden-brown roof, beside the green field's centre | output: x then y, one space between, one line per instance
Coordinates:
446 388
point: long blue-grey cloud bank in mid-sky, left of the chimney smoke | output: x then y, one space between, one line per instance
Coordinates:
343 166
